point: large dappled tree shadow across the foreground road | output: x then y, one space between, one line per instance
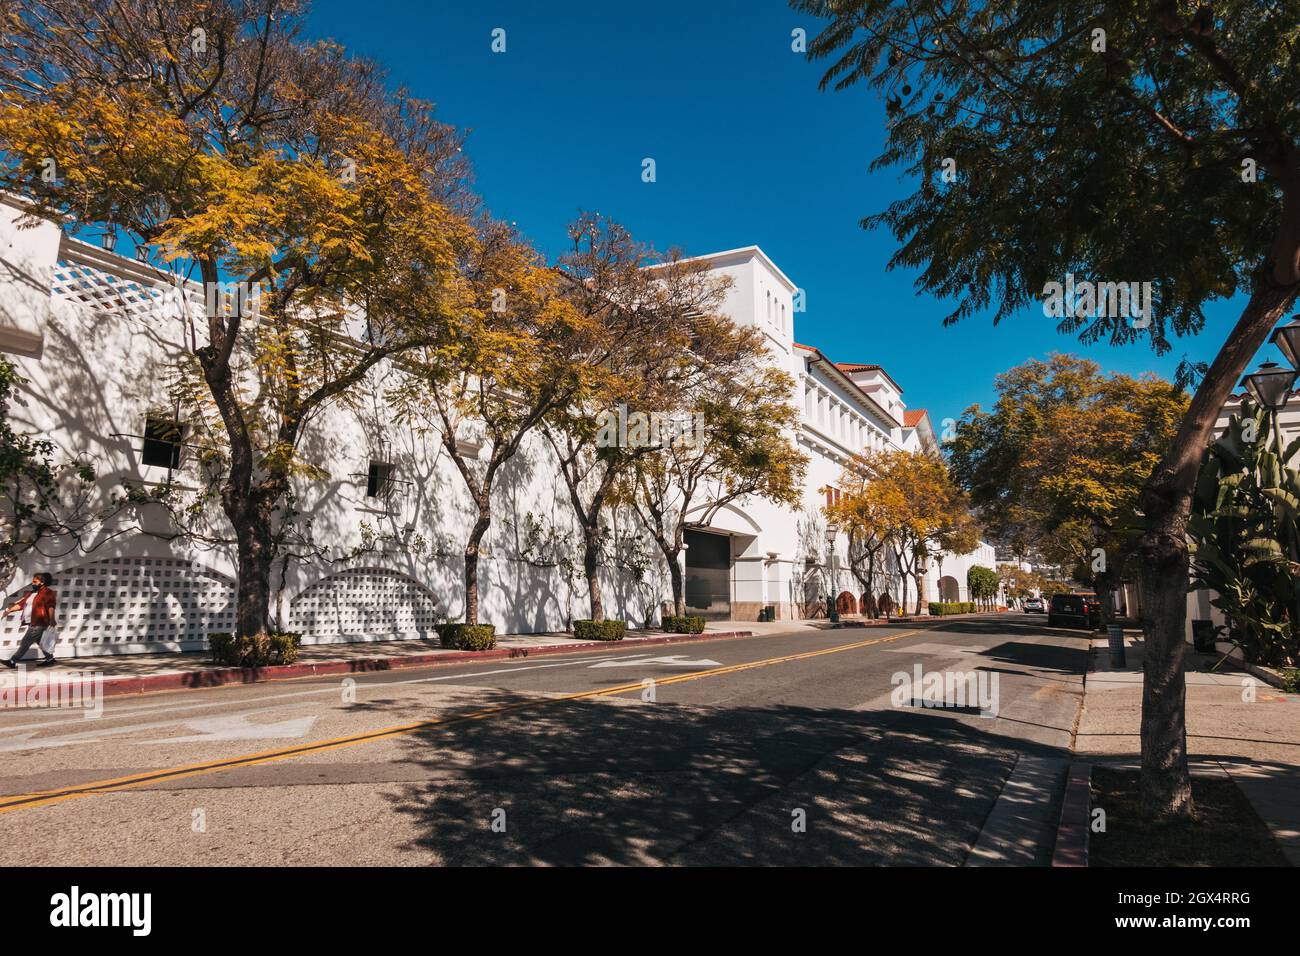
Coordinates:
630 782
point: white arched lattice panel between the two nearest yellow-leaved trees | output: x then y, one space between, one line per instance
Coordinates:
365 602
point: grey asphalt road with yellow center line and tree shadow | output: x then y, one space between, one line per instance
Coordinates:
787 749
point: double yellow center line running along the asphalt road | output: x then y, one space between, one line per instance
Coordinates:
25 802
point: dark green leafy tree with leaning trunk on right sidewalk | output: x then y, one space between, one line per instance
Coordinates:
1113 141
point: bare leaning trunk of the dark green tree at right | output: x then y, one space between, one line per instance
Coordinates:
1167 505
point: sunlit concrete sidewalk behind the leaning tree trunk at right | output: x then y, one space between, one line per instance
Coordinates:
1254 742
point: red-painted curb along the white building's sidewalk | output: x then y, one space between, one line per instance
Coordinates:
220 677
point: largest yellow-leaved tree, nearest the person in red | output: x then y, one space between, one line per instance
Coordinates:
231 152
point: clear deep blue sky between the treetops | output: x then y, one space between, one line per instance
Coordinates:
748 152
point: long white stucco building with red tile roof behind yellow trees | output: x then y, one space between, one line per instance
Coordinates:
96 334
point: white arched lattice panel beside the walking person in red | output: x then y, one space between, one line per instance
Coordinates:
120 602
